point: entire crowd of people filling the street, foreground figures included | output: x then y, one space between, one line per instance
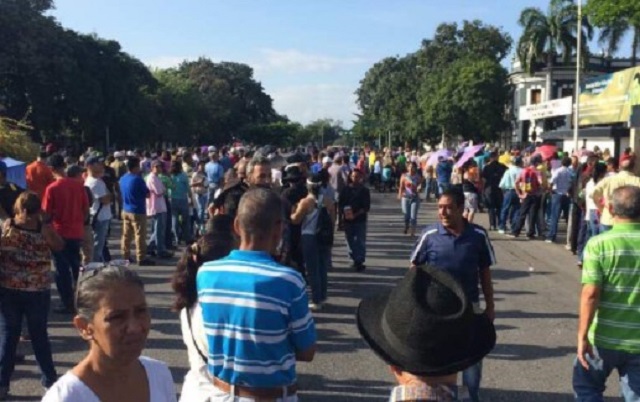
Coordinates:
250 277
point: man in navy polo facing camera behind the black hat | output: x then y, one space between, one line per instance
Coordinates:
464 251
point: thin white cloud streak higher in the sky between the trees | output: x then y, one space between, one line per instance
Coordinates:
295 61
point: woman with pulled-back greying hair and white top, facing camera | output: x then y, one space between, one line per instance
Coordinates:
113 318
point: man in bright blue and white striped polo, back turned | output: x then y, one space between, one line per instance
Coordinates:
255 311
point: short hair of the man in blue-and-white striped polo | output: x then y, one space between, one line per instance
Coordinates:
259 211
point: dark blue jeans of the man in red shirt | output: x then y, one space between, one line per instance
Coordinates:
67 265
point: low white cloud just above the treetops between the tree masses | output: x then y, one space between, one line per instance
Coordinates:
306 103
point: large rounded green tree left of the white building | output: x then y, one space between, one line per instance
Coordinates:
453 85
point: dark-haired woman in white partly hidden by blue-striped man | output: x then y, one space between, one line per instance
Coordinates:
215 244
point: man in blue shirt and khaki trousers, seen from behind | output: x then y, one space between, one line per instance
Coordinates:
134 194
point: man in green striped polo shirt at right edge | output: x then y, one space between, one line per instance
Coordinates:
609 328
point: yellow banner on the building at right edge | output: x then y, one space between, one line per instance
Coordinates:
608 98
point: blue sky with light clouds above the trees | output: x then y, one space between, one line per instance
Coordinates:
309 55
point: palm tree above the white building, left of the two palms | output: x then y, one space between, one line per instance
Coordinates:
551 34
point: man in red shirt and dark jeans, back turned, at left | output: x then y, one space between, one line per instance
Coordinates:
65 204
